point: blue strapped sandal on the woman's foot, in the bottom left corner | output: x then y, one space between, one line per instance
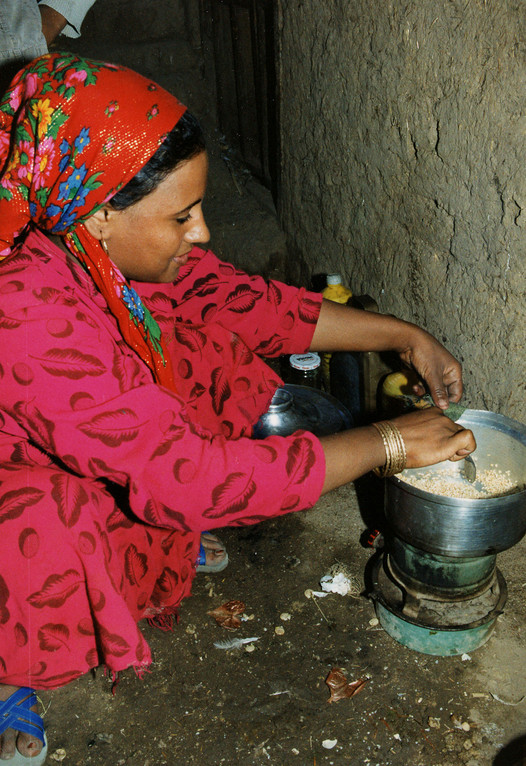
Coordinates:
15 714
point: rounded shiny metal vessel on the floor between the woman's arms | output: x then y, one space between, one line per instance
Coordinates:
302 407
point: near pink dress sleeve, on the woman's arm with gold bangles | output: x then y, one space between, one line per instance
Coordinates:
76 395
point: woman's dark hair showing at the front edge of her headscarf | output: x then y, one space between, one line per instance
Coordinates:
183 142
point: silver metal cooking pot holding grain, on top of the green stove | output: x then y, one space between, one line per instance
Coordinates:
465 527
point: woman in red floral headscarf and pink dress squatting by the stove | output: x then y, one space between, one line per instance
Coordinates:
126 420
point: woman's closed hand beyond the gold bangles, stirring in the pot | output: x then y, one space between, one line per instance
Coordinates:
430 437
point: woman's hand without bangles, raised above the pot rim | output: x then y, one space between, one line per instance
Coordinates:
439 369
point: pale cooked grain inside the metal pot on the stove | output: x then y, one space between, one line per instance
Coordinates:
491 482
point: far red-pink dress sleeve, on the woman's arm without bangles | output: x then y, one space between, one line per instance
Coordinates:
271 317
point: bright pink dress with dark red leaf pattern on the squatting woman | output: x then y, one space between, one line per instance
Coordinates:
107 478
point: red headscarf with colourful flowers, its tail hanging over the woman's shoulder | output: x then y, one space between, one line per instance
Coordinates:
72 133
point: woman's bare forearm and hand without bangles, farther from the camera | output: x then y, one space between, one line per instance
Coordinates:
342 328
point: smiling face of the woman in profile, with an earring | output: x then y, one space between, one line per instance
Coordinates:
150 240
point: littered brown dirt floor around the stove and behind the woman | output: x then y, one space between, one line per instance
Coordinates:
209 706
